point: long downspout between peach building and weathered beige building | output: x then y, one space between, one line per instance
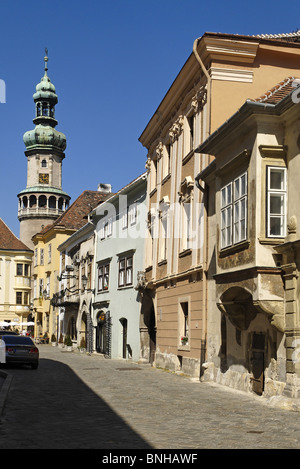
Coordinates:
203 353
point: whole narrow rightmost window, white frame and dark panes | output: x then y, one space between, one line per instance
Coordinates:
276 202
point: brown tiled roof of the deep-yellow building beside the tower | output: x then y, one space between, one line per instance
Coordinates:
75 216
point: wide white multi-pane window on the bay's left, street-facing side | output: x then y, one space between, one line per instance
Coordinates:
234 212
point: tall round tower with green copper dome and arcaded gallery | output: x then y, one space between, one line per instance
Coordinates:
43 200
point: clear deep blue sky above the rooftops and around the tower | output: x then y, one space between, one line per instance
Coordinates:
111 63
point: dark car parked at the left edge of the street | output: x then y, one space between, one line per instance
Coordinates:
21 350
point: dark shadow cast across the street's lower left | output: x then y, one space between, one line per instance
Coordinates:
52 408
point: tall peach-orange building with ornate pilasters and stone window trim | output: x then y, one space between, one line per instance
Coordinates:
219 75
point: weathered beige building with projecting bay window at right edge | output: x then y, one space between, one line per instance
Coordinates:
253 245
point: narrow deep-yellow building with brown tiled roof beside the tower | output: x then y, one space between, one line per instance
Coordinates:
46 260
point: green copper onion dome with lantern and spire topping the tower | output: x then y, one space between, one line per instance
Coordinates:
45 135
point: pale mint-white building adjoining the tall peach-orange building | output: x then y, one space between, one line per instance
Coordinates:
120 226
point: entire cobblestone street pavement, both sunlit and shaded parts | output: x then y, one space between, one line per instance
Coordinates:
78 401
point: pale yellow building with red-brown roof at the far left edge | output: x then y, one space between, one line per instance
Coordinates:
15 272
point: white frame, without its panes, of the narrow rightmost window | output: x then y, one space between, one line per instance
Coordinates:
279 193
